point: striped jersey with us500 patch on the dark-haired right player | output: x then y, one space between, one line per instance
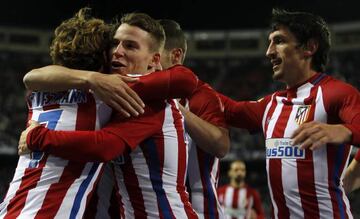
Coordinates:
303 183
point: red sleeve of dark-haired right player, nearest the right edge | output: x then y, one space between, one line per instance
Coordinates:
344 105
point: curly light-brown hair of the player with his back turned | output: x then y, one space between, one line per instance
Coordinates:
82 42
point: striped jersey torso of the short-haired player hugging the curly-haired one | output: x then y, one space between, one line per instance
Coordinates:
151 178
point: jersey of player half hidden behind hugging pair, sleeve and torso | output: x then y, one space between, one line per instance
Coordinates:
203 174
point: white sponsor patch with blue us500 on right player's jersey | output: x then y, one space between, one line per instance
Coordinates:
282 148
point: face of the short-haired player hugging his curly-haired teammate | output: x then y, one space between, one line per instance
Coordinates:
131 51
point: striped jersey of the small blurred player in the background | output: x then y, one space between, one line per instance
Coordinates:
238 202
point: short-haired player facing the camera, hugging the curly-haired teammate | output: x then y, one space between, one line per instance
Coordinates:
151 173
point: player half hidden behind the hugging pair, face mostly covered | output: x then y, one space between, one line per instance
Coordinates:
210 139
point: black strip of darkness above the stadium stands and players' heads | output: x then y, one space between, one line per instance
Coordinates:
193 15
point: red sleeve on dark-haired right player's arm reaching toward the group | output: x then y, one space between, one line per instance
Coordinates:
244 114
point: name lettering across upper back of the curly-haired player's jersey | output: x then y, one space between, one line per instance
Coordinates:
38 99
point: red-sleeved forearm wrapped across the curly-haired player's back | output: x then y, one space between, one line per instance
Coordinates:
77 145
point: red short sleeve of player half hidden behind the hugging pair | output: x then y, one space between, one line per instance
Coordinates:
206 104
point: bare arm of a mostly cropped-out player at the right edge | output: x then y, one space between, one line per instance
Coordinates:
352 175
